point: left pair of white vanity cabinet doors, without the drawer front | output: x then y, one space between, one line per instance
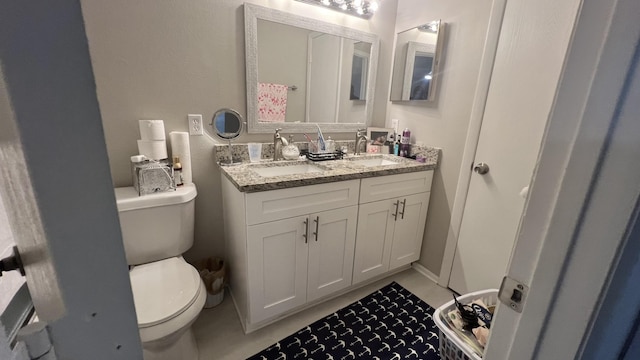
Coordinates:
293 261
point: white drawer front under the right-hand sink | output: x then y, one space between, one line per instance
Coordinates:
391 186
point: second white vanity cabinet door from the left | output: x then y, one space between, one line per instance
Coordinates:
331 251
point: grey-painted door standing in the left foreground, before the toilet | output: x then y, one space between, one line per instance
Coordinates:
65 223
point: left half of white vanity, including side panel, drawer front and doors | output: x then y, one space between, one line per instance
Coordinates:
290 246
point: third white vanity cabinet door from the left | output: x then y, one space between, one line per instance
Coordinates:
373 239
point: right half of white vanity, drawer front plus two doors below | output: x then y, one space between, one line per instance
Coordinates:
391 219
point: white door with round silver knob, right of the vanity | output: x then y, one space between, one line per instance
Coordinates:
525 76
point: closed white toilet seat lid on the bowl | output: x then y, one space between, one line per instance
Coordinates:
163 290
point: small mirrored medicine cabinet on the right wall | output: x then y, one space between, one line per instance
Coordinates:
416 66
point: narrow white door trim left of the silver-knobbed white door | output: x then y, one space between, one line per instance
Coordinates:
473 137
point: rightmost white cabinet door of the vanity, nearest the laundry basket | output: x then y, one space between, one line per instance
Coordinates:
409 229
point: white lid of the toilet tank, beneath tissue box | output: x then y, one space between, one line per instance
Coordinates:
127 197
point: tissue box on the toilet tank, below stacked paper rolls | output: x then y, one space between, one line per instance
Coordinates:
150 177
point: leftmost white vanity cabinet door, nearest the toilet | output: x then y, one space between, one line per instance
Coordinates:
277 266
